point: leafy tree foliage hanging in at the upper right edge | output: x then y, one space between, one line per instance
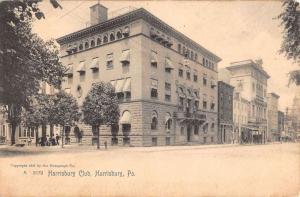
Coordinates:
290 46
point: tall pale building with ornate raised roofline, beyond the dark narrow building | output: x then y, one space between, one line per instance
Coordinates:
250 81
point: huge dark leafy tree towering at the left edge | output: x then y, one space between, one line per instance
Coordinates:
25 59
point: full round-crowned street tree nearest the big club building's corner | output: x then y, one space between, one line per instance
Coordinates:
100 107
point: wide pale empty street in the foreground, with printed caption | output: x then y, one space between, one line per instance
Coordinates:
212 170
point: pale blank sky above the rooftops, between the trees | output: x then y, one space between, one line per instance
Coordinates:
233 30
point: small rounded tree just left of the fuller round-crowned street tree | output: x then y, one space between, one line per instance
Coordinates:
64 111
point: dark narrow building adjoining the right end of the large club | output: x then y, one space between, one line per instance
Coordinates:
225 113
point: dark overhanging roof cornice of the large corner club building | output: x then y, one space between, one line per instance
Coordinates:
132 16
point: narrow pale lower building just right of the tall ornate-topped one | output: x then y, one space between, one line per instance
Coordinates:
273 131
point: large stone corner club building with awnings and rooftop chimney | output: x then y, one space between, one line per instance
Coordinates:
165 82
